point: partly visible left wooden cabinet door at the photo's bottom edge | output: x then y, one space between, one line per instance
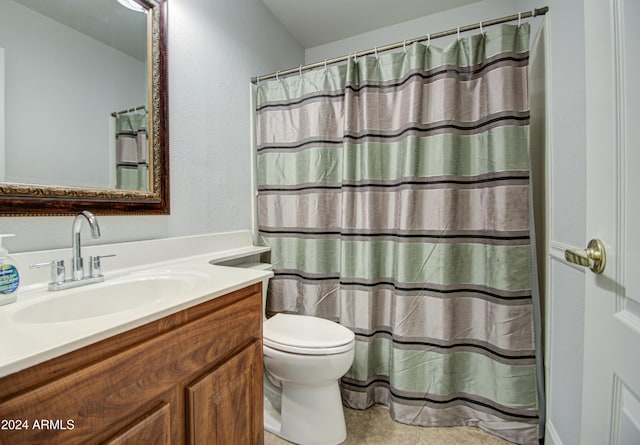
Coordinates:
154 428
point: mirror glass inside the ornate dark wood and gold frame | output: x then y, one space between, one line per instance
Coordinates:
73 87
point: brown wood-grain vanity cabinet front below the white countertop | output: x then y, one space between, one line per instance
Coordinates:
194 377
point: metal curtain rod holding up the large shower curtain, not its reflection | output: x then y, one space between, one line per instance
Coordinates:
523 15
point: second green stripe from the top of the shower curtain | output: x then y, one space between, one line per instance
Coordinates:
445 154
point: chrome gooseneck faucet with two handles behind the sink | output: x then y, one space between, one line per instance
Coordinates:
59 280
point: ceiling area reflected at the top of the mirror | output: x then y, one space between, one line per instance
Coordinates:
103 20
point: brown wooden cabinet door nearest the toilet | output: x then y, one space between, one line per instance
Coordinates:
225 406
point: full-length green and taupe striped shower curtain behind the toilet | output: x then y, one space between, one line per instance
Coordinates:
394 194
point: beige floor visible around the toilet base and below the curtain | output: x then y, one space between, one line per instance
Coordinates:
375 427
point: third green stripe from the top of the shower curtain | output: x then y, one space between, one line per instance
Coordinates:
407 262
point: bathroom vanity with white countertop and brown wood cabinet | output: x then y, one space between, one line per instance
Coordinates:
191 372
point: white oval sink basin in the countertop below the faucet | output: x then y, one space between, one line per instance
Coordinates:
109 297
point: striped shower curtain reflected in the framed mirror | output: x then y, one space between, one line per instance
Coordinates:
132 152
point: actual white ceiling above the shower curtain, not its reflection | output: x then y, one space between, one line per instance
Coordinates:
313 22
